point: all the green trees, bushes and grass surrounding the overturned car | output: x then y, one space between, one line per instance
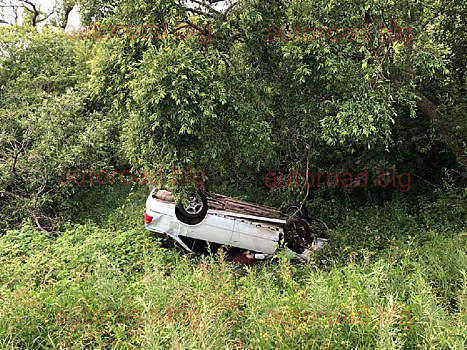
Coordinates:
246 103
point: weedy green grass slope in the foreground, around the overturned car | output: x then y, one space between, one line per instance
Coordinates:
107 283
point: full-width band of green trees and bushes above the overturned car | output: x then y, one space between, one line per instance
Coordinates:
236 88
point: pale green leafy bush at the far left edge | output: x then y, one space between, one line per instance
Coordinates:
47 126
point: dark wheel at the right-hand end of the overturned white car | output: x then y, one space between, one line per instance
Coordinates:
297 235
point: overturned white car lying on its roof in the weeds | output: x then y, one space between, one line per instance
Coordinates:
224 221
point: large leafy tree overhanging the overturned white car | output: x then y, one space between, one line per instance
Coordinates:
258 98
